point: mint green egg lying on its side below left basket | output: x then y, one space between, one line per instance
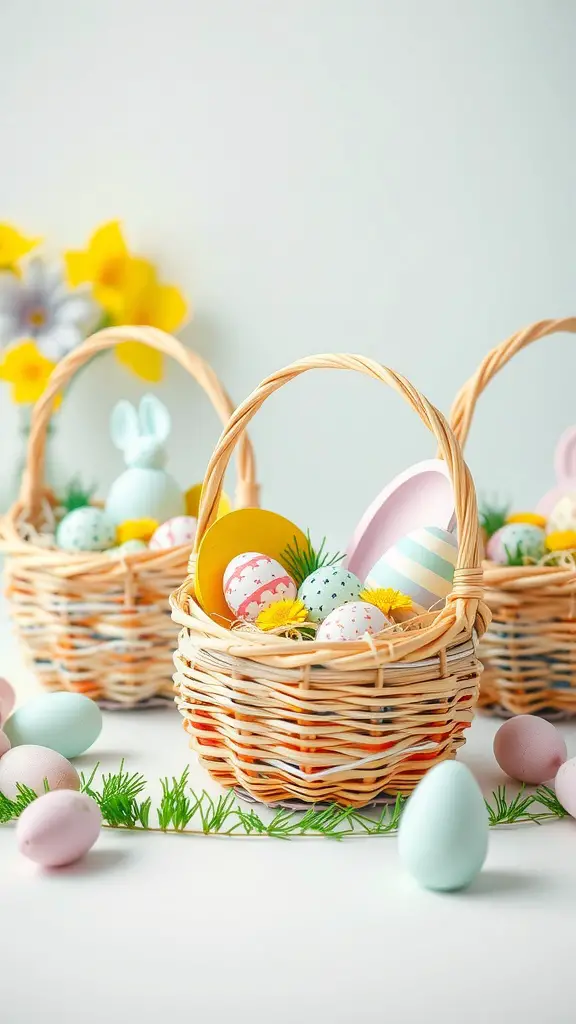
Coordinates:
69 723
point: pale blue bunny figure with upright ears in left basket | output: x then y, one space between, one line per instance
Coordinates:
145 490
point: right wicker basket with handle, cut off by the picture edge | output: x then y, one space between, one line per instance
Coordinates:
529 651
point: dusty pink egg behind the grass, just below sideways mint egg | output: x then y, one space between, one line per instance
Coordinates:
31 765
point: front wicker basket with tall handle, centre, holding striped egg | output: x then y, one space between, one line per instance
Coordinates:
287 720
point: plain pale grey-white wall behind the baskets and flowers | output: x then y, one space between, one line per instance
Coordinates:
390 179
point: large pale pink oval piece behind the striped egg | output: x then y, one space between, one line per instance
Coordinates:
422 496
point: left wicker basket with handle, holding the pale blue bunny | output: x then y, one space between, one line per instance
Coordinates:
88 623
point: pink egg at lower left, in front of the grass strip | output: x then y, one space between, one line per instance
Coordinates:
59 828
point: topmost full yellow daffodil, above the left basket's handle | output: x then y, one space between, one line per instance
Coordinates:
108 266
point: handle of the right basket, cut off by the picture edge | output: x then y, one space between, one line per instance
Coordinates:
466 402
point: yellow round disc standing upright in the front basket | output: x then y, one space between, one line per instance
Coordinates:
243 530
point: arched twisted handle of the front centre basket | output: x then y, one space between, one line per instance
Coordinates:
465 494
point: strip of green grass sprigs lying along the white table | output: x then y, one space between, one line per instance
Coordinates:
183 812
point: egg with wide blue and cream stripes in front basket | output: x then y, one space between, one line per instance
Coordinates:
421 566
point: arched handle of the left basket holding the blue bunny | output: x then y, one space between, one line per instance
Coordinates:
32 488
